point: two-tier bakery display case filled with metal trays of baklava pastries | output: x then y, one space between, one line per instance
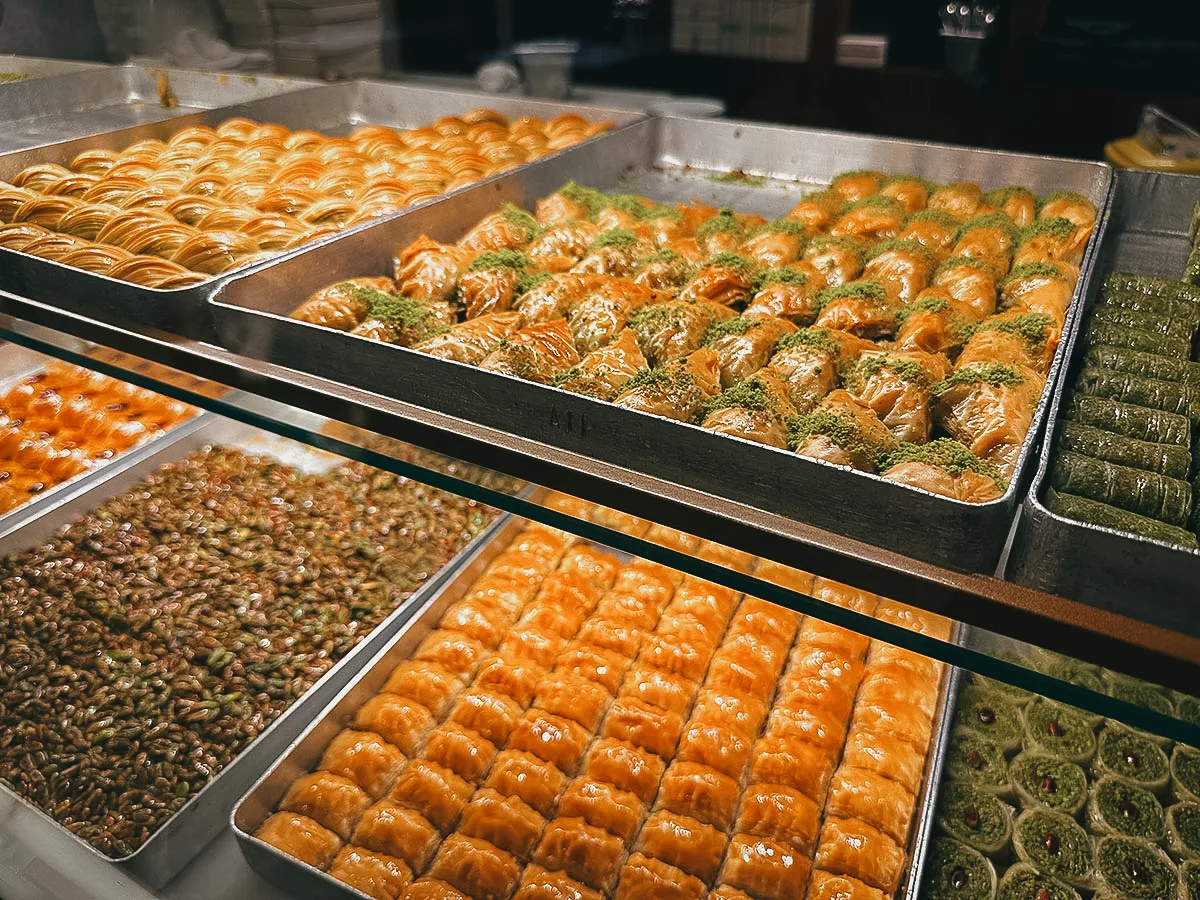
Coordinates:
563 503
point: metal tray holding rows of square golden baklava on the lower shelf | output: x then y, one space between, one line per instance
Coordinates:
304 755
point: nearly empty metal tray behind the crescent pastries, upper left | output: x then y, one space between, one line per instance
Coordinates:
46 111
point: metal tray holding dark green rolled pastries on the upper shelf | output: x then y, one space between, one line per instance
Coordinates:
1101 567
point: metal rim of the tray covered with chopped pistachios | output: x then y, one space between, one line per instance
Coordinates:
399 619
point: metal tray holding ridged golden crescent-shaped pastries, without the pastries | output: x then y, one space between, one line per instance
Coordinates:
333 110
